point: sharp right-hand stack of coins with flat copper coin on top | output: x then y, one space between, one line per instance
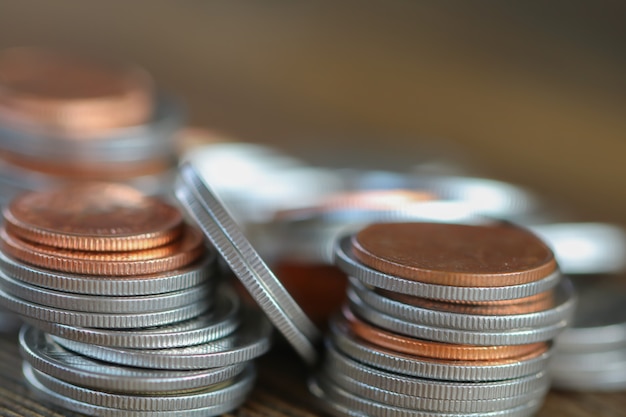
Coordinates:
443 319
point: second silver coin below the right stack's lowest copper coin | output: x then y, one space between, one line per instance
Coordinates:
338 365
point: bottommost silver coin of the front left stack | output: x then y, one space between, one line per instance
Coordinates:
90 409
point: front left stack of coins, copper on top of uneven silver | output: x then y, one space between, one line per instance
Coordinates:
124 316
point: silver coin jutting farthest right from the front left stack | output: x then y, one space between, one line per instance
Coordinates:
249 342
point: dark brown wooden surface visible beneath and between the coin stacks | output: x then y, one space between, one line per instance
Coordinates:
280 392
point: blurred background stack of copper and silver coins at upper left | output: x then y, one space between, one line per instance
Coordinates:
68 116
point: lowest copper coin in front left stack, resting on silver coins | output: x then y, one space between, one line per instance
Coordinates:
183 252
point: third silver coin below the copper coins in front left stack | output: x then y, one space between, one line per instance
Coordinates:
100 320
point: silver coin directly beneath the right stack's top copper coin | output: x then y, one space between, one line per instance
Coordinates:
347 263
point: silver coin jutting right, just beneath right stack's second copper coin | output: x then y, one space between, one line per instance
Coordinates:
564 304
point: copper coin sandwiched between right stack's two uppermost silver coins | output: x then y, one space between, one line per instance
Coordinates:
532 304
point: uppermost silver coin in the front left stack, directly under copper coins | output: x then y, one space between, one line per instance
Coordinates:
191 276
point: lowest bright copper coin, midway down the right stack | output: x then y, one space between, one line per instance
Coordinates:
437 350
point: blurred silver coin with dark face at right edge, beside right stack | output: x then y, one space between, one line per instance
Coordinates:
599 322
